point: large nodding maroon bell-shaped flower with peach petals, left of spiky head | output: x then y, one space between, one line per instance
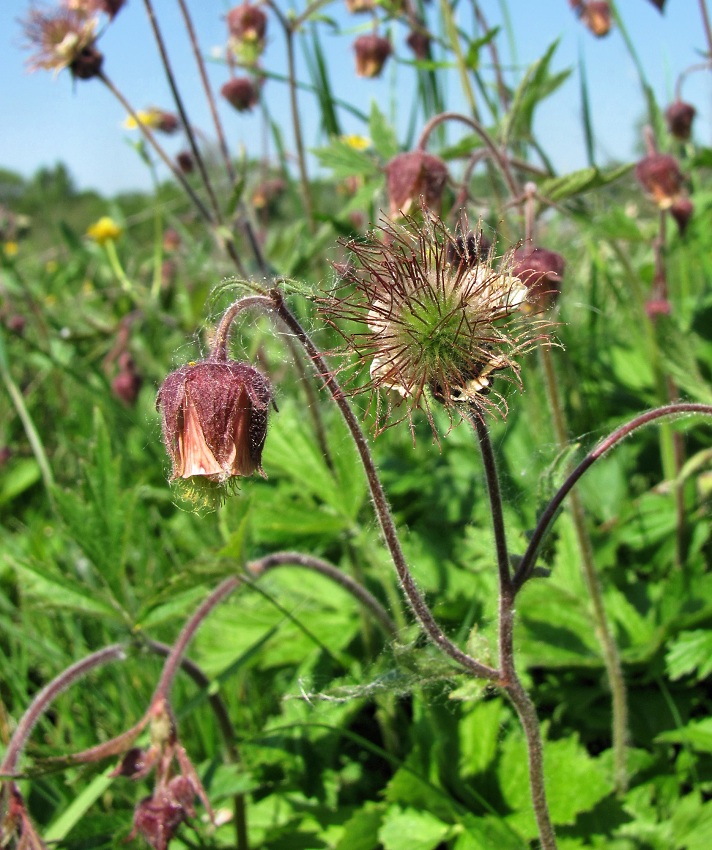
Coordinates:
215 419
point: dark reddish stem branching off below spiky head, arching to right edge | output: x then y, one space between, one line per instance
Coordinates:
528 560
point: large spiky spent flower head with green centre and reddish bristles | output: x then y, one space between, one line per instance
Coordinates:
438 323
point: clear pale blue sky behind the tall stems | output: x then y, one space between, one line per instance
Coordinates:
48 119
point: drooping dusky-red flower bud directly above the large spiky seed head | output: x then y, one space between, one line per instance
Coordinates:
412 175
